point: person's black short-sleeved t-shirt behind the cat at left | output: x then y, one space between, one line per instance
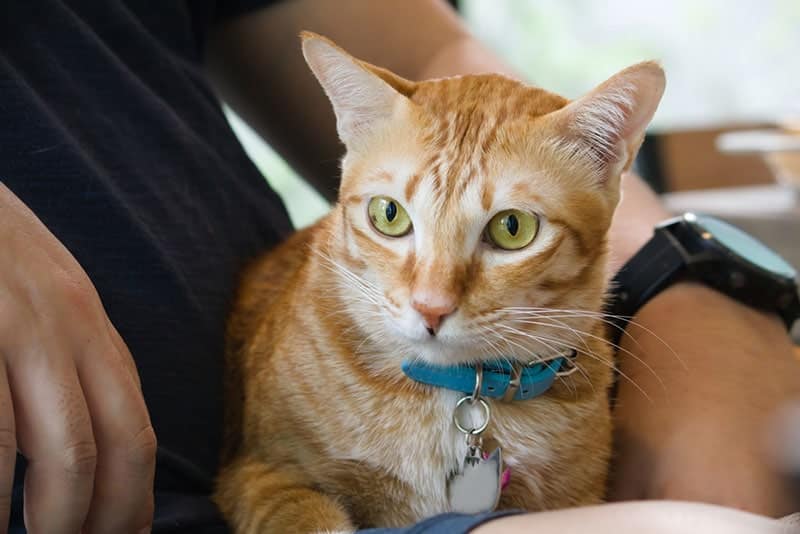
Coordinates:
111 134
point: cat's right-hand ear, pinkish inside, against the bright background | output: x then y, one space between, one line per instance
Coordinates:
606 127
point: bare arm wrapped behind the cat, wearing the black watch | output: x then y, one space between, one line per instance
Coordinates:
258 69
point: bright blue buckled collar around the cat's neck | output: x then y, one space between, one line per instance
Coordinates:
497 377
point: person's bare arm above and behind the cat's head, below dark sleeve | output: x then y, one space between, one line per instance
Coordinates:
256 64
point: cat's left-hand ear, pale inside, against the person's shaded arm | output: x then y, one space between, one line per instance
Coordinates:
364 97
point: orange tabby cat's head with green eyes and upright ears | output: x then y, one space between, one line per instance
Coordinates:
470 206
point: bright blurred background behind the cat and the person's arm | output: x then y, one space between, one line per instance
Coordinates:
726 138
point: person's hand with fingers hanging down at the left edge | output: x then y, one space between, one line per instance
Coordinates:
70 397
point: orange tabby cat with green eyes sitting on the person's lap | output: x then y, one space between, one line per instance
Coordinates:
471 226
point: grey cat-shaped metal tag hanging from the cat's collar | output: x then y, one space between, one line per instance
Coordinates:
477 487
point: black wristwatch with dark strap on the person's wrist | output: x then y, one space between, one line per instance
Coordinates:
712 252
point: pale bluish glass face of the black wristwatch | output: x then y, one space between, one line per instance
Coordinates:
742 244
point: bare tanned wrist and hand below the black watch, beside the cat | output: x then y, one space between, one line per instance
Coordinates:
704 433
